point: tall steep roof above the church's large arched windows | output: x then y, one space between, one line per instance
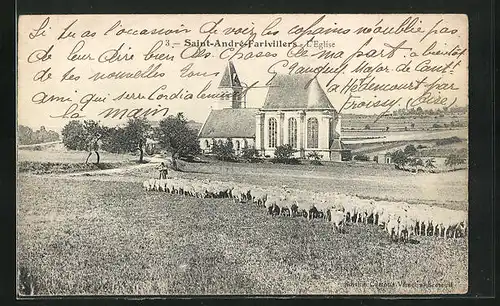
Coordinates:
296 92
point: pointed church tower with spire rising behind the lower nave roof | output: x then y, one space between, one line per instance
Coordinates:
231 87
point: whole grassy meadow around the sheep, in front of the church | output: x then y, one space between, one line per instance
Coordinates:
83 229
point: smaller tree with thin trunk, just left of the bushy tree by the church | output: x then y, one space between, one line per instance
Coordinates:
134 136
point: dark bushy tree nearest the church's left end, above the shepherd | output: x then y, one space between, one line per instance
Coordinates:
175 136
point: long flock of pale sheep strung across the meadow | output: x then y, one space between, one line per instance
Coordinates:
399 219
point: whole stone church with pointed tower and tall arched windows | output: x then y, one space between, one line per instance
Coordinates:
296 111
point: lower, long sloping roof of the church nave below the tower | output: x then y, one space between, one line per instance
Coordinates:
230 122
